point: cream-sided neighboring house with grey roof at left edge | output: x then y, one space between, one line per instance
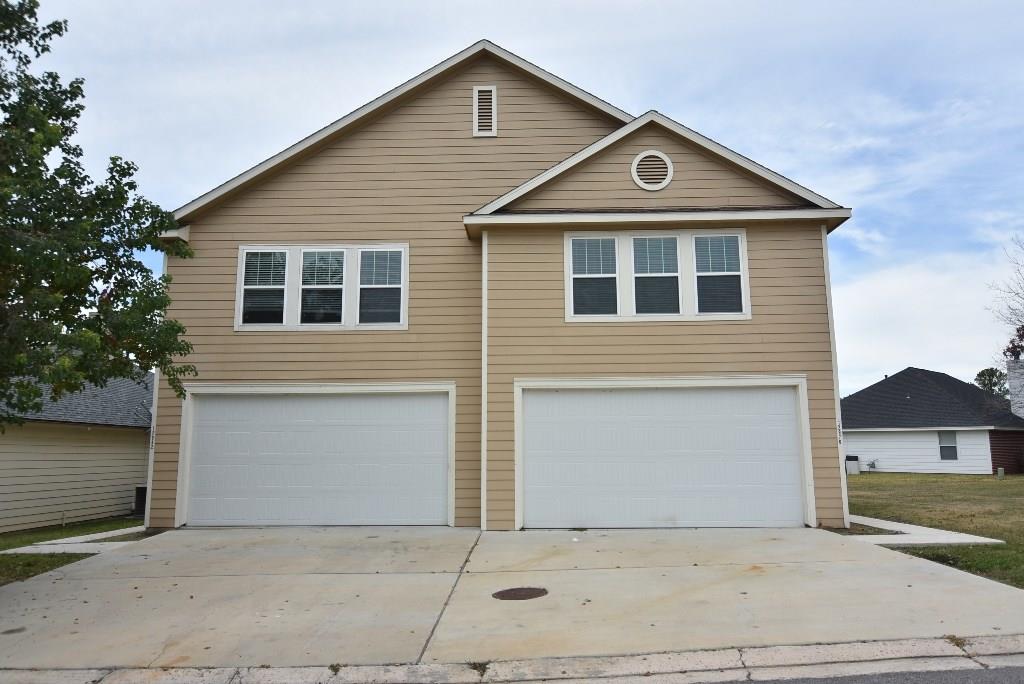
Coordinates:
80 458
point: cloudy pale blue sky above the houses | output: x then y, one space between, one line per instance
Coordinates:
910 113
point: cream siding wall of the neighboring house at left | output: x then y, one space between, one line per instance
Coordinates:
54 473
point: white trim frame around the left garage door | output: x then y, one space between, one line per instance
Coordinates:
212 389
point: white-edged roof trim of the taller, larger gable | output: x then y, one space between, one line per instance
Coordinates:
190 210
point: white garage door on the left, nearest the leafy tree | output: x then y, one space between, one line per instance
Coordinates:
318 459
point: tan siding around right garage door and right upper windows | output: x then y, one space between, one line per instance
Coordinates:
529 338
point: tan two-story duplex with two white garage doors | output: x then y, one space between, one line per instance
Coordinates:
490 298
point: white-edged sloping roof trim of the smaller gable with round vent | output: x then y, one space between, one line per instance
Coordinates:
675 127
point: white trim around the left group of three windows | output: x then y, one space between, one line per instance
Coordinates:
293 289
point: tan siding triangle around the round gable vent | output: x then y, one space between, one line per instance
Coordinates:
700 181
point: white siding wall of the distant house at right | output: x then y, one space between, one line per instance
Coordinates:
918 452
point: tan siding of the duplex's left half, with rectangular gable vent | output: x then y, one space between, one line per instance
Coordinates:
410 176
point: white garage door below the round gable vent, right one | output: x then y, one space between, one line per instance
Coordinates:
662 458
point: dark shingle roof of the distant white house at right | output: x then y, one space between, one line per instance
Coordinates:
916 398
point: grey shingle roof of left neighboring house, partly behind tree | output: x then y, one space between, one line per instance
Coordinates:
123 403
